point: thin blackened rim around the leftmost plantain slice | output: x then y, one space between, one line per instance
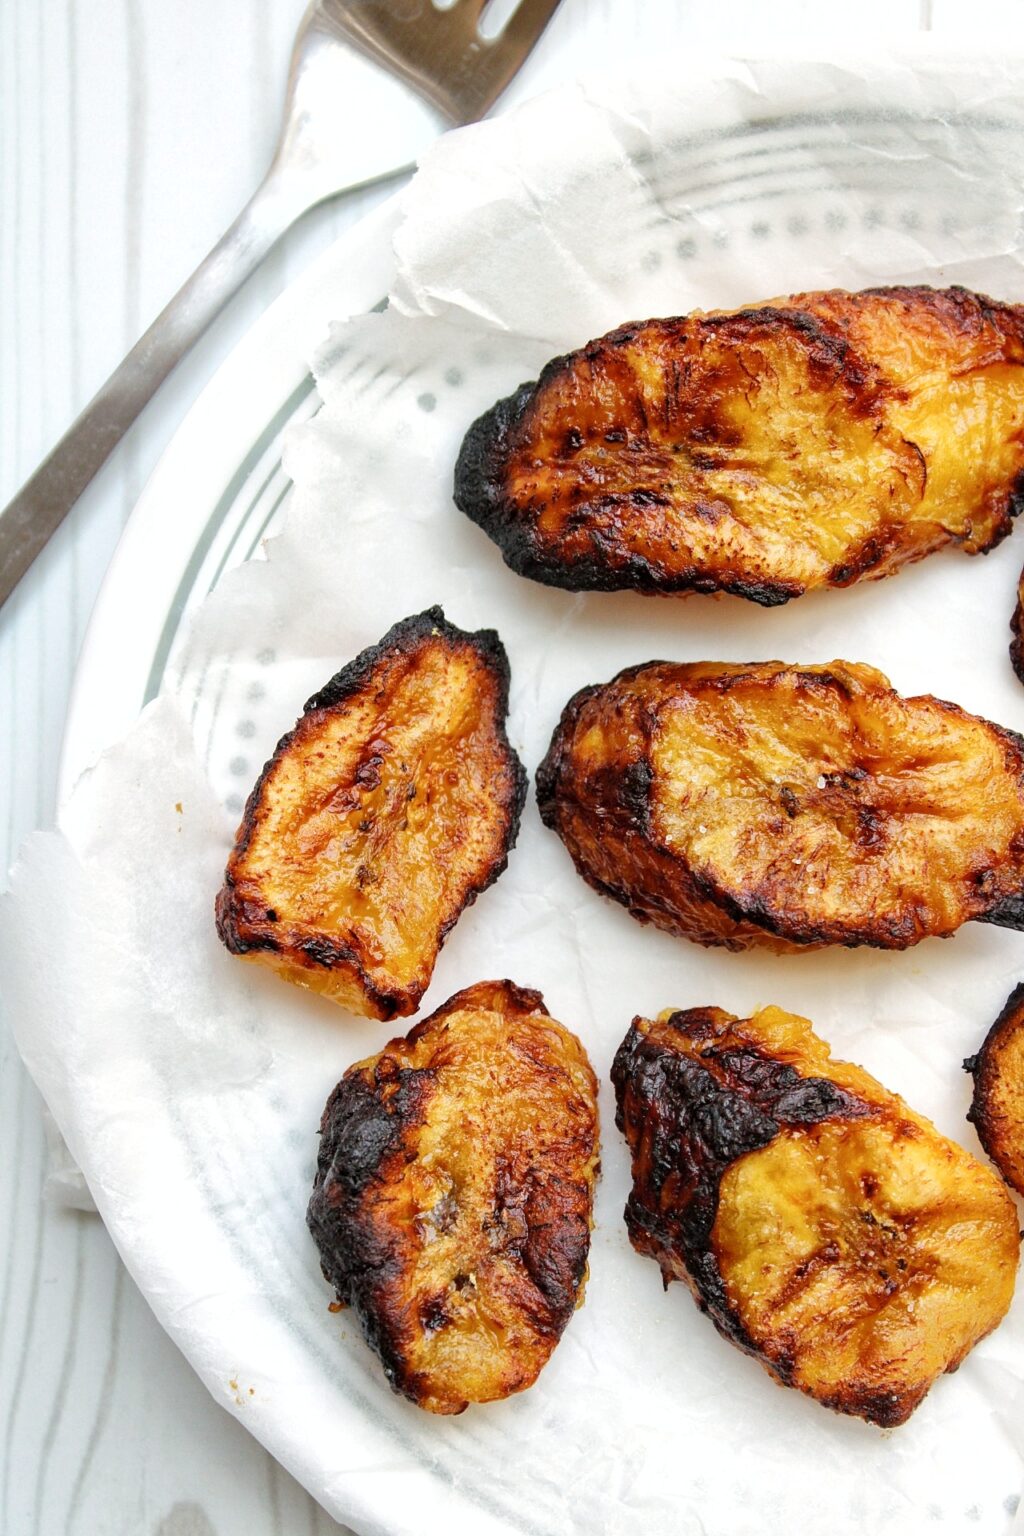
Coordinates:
400 640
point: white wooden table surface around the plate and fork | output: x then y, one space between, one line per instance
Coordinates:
131 131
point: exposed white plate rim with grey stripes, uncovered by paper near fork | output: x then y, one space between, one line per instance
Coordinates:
217 492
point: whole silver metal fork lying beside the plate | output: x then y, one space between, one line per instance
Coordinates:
455 74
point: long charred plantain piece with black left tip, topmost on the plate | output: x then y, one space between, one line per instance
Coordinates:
816 442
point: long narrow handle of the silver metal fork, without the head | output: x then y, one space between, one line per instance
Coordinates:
48 497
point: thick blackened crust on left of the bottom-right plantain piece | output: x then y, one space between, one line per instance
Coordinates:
689 1124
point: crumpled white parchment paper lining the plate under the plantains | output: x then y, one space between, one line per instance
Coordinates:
190 1087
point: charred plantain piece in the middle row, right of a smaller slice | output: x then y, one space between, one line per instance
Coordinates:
791 807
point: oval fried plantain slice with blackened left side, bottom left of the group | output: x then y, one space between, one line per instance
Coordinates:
454 1196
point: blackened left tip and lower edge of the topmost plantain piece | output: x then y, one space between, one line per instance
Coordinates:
478 492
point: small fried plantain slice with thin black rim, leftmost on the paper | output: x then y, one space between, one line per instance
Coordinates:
380 819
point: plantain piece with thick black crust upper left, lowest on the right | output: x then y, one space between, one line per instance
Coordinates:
827 1228
